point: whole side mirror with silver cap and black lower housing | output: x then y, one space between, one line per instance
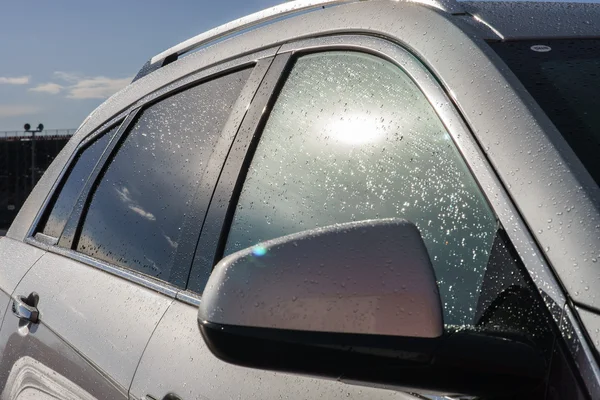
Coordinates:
357 302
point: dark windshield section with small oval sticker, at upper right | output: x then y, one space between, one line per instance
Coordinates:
564 78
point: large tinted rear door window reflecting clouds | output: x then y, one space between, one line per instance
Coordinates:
136 214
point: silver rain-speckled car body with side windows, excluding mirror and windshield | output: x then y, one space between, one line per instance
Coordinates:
119 237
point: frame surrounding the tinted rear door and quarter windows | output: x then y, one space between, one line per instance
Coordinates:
259 62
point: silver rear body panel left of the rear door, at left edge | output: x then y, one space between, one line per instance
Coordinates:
15 260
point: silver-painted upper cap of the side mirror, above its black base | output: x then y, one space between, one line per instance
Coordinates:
369 277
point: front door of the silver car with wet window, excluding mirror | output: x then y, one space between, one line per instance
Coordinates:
350 136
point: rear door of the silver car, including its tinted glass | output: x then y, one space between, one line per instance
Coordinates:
116 239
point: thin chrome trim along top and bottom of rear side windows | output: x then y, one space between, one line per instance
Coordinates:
126 118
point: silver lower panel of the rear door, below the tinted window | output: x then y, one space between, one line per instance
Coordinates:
108 320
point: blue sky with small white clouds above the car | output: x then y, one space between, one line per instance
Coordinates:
61 59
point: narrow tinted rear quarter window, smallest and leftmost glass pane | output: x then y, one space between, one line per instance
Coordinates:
77 177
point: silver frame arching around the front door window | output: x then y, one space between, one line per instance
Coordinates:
228 189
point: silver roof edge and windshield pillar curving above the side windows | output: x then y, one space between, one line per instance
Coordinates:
545 179
